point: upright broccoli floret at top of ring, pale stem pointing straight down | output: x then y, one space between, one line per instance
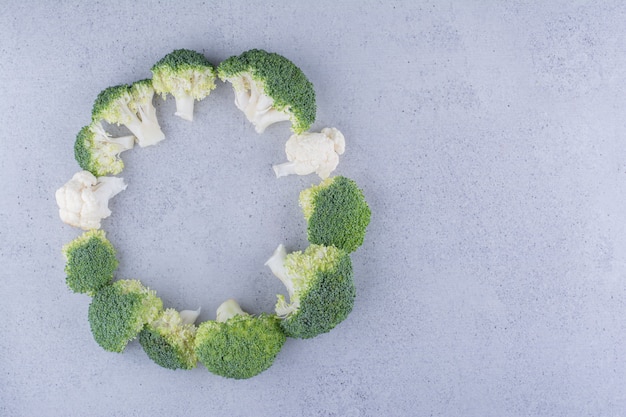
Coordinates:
187 75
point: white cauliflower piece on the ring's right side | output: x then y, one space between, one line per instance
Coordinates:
312 152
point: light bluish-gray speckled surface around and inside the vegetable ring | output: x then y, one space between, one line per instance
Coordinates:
488 138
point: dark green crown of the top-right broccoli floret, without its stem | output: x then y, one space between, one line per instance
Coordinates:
280 79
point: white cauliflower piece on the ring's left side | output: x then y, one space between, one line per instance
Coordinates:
84 200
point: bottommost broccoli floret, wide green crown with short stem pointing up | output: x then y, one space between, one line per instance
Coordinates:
238 345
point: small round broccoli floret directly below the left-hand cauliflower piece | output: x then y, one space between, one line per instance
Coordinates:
90 262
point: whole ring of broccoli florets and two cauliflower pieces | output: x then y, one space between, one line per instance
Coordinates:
319 282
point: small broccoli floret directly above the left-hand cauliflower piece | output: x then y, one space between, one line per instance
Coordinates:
97 152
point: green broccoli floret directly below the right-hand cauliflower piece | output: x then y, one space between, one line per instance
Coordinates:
336 213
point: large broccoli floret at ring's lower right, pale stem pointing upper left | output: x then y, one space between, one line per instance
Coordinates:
320 286
